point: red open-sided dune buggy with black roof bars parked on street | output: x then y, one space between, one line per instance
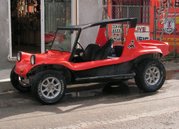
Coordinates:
48 74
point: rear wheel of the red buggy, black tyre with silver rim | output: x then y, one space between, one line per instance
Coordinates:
150 75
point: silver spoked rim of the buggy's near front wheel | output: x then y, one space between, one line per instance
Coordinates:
50 87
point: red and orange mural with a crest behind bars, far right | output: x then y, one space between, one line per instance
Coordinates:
167 18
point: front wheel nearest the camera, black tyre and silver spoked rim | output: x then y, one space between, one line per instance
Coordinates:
48 86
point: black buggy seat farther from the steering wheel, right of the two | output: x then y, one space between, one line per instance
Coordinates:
105 51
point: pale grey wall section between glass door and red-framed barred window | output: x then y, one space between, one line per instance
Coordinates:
89 11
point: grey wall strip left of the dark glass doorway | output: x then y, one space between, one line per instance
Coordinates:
4 35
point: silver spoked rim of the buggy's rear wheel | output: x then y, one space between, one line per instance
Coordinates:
152 75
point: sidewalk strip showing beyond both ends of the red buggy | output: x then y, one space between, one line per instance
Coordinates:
5 84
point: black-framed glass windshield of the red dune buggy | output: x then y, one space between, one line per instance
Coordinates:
62 41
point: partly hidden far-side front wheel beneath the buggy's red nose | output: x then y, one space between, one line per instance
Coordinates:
19 83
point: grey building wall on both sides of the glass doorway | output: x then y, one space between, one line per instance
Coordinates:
89 11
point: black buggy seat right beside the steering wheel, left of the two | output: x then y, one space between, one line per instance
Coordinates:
90 52
